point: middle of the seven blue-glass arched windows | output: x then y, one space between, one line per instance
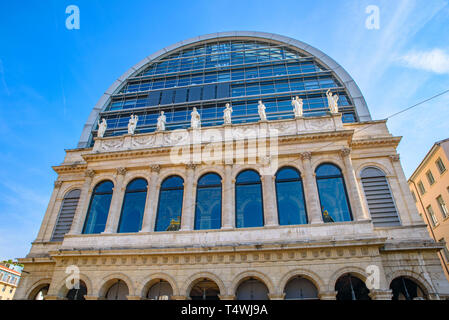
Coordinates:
208 202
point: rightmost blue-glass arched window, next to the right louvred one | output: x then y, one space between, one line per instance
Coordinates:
332 192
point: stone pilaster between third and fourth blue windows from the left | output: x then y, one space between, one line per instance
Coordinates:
188 207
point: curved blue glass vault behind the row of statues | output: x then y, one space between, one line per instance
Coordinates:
210 73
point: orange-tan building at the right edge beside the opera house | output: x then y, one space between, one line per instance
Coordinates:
429 185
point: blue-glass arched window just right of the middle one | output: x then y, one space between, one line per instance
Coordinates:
248 200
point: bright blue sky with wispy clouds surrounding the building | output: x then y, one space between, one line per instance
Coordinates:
51 77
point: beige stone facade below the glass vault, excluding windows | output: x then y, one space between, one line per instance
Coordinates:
318 251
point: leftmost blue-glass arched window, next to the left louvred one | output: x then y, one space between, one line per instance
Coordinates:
100 202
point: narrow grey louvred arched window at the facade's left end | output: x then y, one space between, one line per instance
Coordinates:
65 218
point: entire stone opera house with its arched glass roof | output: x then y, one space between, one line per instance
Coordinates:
276 194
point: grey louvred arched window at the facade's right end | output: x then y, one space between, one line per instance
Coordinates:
378 196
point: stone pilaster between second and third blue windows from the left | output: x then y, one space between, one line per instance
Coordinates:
149 216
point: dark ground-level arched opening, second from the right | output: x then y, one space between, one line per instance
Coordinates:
350 287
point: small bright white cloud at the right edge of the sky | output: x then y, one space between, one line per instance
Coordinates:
435 60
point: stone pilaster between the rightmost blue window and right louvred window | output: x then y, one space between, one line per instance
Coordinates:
351 185
